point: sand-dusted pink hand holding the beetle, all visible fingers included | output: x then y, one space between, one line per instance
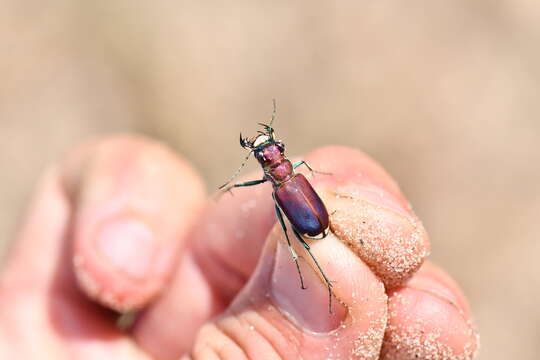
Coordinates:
124 224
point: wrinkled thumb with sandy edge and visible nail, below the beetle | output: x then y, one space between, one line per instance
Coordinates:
273 318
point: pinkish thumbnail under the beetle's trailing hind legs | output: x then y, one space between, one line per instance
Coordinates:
308 308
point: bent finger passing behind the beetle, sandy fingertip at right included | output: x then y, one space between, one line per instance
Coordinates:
226 243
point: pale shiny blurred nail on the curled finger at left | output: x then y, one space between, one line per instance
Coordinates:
126 244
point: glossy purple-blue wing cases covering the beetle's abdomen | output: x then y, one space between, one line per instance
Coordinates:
302 206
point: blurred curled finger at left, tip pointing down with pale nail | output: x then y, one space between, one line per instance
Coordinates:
133 203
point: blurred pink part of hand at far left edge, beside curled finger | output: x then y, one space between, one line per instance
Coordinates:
40 317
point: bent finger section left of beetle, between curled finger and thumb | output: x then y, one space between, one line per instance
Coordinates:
223 250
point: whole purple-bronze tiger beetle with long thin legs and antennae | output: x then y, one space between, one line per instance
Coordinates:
292 193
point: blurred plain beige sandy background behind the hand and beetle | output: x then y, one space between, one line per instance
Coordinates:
444 94
